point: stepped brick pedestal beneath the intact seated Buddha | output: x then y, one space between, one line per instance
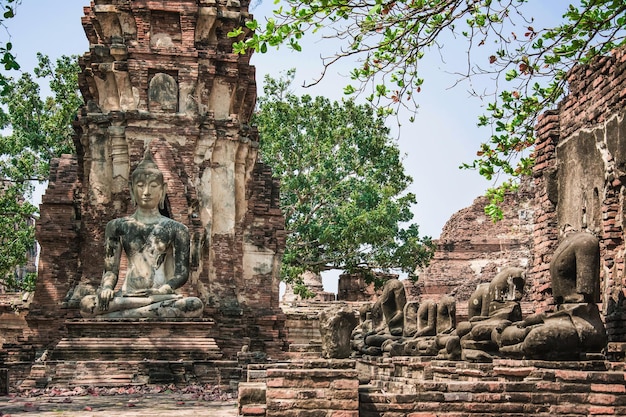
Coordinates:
119 352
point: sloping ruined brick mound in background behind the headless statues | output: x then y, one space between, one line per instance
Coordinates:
472 248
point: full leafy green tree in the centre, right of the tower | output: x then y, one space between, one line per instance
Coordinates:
343 186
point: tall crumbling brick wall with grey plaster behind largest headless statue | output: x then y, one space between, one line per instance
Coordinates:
579 179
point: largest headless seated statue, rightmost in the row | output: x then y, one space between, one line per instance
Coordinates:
575 328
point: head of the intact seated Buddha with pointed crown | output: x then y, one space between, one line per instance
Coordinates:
147 186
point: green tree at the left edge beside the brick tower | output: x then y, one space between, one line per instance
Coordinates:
35 130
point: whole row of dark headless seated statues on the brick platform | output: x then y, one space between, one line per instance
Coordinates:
495 326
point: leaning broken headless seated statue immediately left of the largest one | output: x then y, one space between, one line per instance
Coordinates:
479 336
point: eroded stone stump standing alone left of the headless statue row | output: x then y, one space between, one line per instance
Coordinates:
336 326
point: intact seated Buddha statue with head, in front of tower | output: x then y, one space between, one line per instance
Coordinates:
157 250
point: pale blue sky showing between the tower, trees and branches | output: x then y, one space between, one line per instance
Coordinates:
443 136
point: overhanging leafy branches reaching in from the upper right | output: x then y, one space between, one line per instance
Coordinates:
388 38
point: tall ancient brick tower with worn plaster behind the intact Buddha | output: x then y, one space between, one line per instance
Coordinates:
163 72
